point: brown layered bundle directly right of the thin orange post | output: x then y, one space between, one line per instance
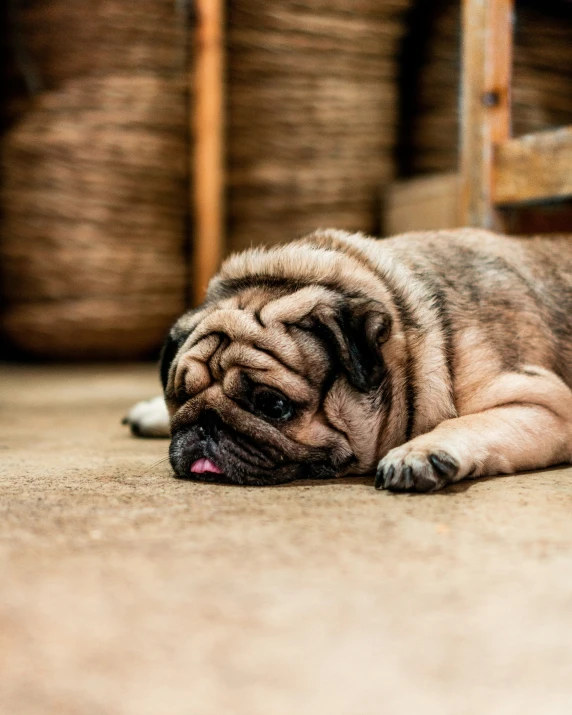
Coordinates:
312 111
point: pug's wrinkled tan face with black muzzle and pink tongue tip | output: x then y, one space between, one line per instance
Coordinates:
274 381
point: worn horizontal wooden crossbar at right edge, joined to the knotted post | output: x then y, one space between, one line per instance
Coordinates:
534 167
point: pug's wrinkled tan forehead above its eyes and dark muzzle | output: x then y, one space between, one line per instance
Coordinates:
253 331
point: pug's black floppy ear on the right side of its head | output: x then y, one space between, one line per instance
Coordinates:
354 331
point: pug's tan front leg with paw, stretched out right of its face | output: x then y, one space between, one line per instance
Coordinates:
500 440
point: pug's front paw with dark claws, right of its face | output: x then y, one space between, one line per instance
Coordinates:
410 469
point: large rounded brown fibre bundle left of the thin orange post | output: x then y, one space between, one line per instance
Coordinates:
94 196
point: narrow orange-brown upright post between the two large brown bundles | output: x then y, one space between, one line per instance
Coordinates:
207 130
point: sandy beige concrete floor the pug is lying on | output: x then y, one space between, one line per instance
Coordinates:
127 592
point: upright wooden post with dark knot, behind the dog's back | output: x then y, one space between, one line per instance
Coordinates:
485 104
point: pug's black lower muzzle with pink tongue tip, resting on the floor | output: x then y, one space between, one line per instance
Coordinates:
227 462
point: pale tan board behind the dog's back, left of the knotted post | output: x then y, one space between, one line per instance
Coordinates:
424 203
